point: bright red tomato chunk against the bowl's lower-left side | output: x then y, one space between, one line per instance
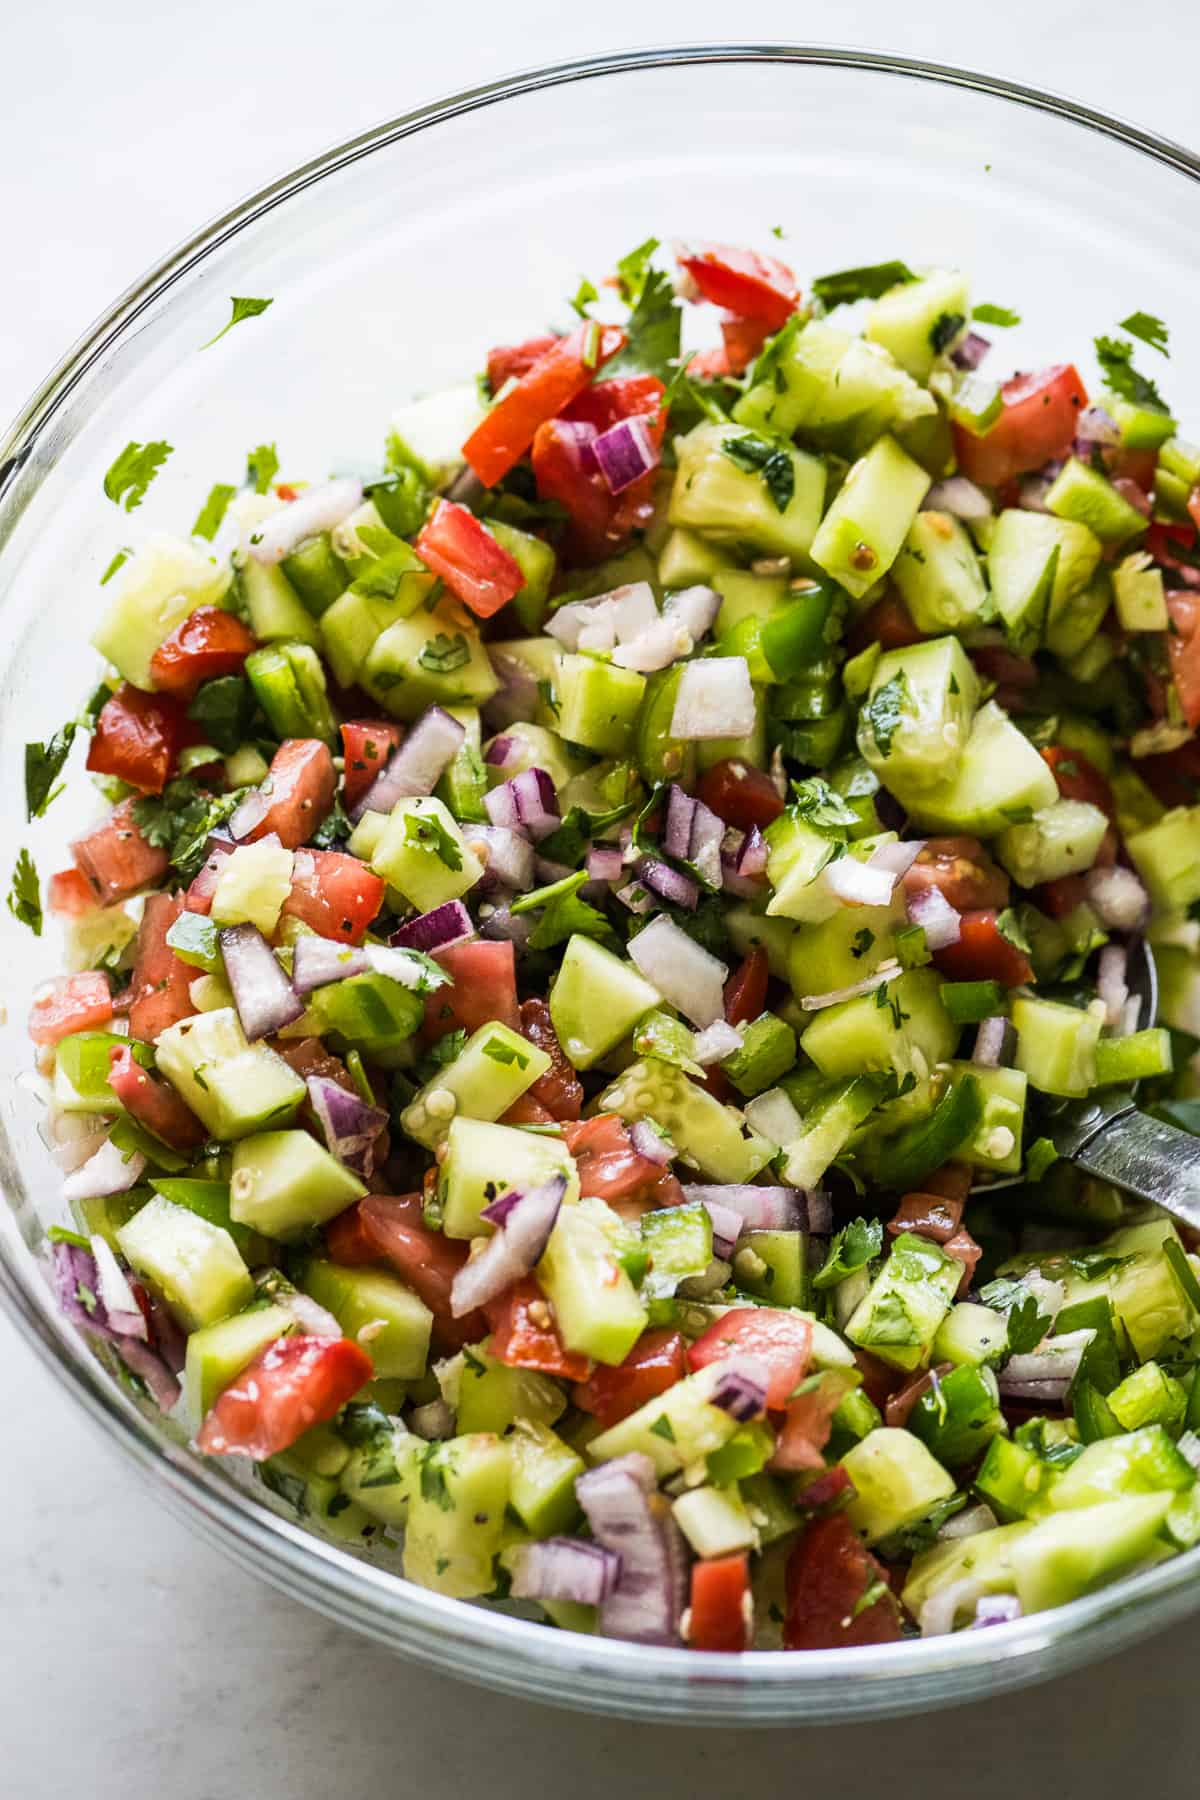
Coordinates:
291 1387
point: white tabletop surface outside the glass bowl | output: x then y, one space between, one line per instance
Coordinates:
134 1660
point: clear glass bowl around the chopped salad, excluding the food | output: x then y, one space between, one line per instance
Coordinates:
393 262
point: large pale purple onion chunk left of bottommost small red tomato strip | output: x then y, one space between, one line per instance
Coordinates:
629 1518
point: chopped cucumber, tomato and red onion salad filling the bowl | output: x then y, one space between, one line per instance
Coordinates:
566 1007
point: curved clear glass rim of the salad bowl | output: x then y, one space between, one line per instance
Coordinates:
758 1687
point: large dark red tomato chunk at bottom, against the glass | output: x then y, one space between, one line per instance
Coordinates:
830 1576
